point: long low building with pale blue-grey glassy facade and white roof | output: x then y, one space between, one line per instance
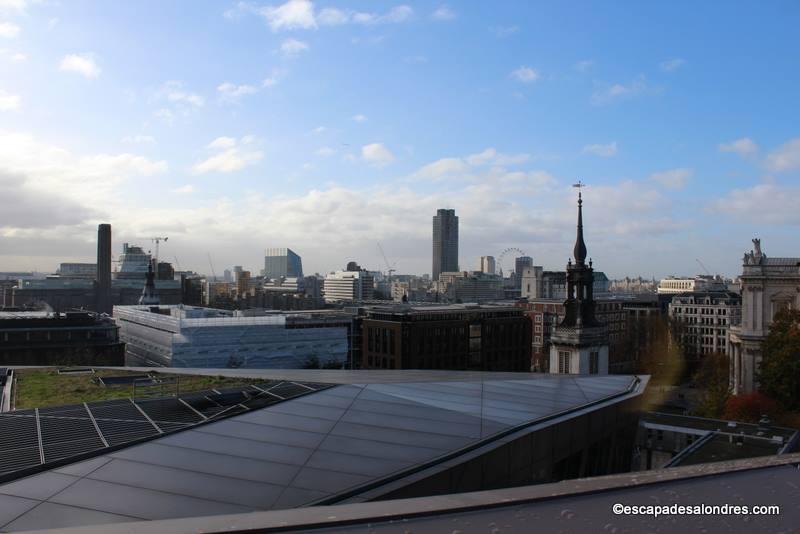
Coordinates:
186 336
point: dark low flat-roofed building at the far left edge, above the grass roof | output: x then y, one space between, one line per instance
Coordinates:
72 338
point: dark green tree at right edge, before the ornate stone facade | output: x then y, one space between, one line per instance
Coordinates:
779 373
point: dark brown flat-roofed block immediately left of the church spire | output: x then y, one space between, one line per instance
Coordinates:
466 337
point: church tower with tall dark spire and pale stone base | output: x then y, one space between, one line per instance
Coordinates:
579 343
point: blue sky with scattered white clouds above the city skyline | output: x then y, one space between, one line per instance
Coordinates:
330 127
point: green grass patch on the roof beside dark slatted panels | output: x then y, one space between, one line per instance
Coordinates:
40 388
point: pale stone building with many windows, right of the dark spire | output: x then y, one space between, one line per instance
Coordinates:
702 320
